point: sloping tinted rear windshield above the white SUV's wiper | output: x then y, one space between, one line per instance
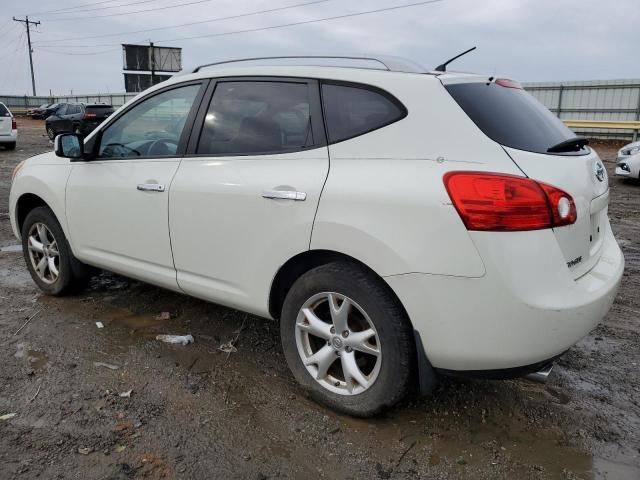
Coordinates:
511 116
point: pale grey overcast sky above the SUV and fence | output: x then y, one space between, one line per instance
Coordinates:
529 40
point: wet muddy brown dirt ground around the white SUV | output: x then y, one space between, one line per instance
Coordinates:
197 412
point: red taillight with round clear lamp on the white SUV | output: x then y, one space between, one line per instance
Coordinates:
507 203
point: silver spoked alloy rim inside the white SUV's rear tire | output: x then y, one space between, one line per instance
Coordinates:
338 343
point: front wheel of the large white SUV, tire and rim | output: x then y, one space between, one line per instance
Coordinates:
72 275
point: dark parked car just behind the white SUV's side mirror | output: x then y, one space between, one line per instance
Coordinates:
76 117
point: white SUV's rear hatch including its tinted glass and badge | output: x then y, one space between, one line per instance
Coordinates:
528 131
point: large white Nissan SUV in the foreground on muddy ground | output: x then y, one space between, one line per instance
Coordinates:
400 224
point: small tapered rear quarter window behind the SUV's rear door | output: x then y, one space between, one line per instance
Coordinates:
352 111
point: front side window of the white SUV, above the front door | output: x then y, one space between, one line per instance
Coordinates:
151 128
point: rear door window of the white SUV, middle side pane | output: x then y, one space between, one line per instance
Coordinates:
257 117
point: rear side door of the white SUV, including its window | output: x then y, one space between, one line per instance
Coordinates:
244 198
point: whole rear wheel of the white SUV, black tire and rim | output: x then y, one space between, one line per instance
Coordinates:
390 374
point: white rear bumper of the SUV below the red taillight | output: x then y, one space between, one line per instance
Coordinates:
526 309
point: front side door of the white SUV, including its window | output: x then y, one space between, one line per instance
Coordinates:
118 203
